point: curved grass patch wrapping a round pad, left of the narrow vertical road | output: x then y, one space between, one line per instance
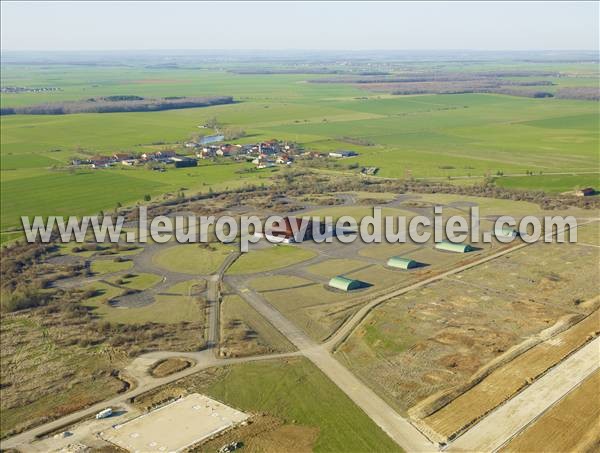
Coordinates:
165 309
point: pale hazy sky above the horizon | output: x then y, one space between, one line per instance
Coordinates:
53 26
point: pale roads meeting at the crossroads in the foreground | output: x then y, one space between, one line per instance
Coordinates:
399 429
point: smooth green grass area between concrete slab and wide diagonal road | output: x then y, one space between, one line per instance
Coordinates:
296 390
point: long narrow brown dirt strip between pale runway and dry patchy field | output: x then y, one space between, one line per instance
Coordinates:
505 381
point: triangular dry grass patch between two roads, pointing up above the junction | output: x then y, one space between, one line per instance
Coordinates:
245 332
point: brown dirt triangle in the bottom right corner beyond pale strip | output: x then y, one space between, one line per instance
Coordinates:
571 425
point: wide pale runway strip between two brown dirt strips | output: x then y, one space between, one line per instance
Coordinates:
509 419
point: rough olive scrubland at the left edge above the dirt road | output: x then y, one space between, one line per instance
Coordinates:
36 385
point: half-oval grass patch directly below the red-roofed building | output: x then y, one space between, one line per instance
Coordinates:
268 259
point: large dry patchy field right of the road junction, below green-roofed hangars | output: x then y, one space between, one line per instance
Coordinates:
437 338
